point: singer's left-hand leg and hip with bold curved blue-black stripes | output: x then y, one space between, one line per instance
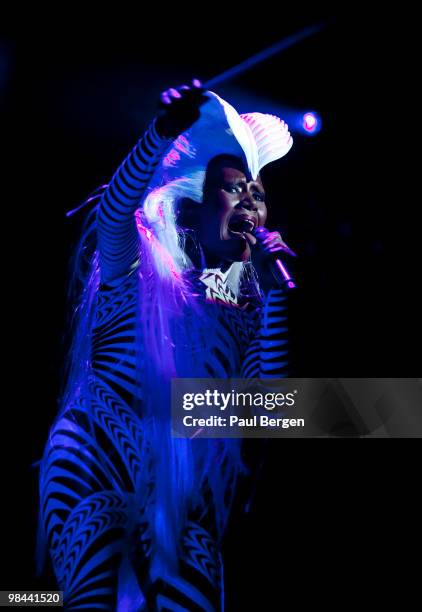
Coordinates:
87 495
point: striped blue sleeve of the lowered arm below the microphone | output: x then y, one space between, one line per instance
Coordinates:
267 354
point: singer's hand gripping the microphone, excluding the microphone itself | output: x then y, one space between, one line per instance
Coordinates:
267 245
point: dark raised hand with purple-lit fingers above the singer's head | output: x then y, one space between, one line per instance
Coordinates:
179 109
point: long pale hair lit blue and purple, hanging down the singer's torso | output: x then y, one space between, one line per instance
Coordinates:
170 325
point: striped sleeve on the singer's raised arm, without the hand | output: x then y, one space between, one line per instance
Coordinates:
117 235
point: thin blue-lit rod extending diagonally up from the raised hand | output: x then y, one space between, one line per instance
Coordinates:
281 45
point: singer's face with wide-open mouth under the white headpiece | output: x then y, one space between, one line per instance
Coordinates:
233 206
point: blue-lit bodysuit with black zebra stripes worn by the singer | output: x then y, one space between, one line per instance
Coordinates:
98 534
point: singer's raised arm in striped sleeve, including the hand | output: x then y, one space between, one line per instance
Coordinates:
117 234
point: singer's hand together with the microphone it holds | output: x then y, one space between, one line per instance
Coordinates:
272 249
